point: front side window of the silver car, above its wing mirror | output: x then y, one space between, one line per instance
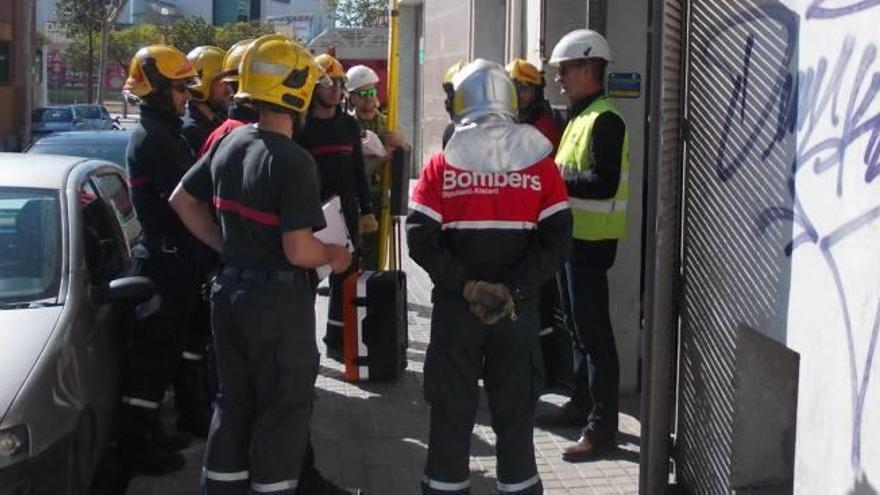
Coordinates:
105 257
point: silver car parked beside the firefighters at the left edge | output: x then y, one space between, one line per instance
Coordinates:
66 227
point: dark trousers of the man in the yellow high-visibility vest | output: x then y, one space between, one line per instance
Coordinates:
598 376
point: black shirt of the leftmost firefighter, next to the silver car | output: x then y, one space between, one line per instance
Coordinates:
156 158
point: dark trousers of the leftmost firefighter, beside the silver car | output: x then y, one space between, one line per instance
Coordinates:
155 344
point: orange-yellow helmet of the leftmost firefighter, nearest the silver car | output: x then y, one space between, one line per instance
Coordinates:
154 65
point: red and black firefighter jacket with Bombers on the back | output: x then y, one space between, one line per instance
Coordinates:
512 227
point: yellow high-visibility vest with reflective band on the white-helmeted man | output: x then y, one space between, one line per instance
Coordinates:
594 219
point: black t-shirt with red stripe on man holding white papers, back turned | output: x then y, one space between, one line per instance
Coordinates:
262 184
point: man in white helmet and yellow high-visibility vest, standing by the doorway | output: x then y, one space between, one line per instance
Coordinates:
594 158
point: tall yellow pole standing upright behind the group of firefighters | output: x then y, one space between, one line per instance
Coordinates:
387 241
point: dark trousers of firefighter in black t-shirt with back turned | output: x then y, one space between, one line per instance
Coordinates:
264 335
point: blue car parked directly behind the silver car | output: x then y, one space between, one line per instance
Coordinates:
89 144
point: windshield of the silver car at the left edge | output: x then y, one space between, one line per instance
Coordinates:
30 245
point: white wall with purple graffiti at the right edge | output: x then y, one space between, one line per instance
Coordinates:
835 294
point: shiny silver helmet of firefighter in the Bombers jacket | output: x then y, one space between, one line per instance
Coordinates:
482 88
